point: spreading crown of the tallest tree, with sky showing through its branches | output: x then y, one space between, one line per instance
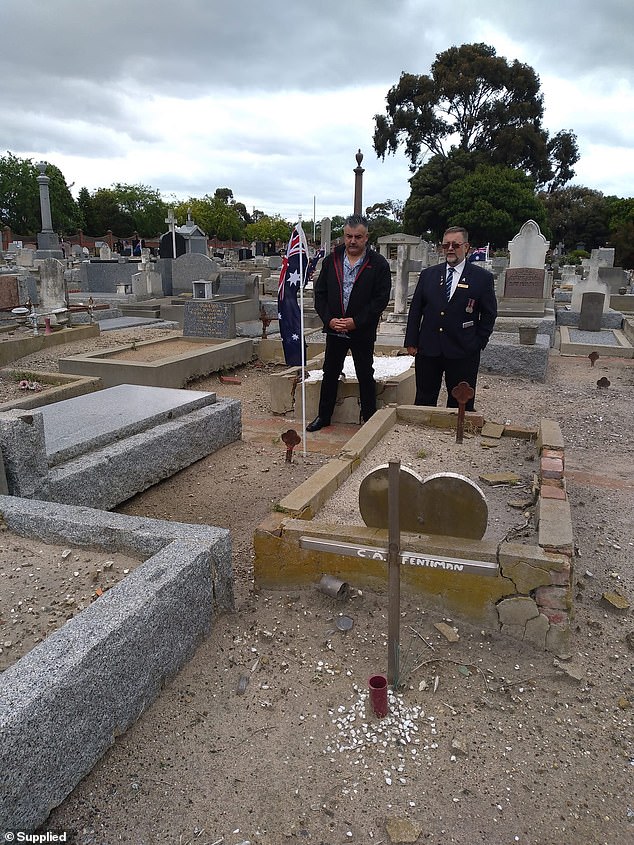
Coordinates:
475 101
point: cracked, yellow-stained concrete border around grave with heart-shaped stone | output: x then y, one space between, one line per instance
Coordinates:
531 596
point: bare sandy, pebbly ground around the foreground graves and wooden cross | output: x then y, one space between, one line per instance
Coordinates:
491 741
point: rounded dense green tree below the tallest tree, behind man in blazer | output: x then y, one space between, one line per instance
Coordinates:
493 203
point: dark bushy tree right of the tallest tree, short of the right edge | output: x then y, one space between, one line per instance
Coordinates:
578 215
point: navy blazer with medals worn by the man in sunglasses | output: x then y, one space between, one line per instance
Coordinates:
454 329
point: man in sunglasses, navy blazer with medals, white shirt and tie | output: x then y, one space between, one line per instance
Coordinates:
450 320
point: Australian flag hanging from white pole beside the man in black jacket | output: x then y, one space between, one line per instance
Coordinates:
294 269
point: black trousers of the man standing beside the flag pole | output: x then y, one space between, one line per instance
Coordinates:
363 356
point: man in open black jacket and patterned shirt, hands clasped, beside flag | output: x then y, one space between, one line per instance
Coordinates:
351 293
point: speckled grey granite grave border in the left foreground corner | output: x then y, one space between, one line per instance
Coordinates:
64 703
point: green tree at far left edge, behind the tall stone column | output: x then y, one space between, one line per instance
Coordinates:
20 197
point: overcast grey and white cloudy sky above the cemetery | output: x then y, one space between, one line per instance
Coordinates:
273 99
